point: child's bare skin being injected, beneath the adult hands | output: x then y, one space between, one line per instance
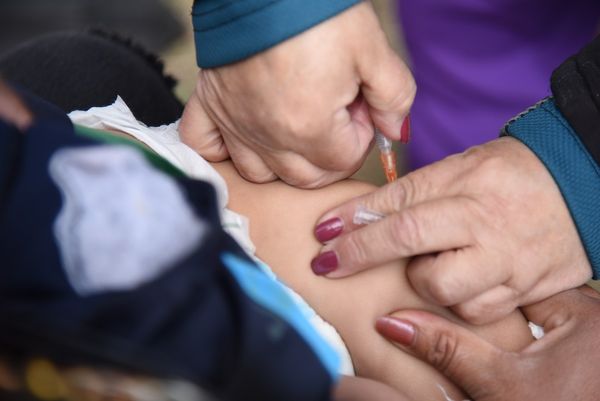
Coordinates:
281 223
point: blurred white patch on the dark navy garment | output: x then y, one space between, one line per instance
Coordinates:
95 229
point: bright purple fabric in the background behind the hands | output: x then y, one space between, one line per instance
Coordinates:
477 63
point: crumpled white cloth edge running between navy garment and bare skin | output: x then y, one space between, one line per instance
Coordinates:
165 141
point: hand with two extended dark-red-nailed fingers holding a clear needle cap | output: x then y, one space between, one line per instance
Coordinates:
488 231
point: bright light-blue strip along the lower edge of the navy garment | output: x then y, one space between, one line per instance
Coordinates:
271 295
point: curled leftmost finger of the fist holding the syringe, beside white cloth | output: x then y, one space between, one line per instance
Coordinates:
199 132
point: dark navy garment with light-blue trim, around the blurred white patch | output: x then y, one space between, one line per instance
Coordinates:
212 317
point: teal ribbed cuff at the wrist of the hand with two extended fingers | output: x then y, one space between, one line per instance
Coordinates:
545 131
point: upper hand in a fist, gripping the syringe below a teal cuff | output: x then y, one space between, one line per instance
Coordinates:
304 110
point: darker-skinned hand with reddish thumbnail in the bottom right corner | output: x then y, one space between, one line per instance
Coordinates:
560 366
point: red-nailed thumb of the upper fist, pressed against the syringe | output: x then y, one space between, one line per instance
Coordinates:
389 88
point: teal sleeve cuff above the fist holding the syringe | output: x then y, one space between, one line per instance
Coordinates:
227 31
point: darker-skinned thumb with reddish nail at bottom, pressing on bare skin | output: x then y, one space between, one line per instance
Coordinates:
477 366
